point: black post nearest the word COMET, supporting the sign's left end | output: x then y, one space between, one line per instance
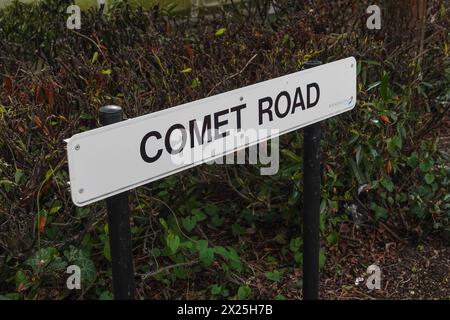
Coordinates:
119 227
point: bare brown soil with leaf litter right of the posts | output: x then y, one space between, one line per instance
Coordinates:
408 270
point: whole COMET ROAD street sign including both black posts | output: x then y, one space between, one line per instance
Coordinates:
106 162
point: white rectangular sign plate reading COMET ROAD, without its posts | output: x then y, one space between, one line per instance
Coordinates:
115 158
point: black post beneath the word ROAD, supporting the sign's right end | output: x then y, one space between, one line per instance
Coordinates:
311 203
